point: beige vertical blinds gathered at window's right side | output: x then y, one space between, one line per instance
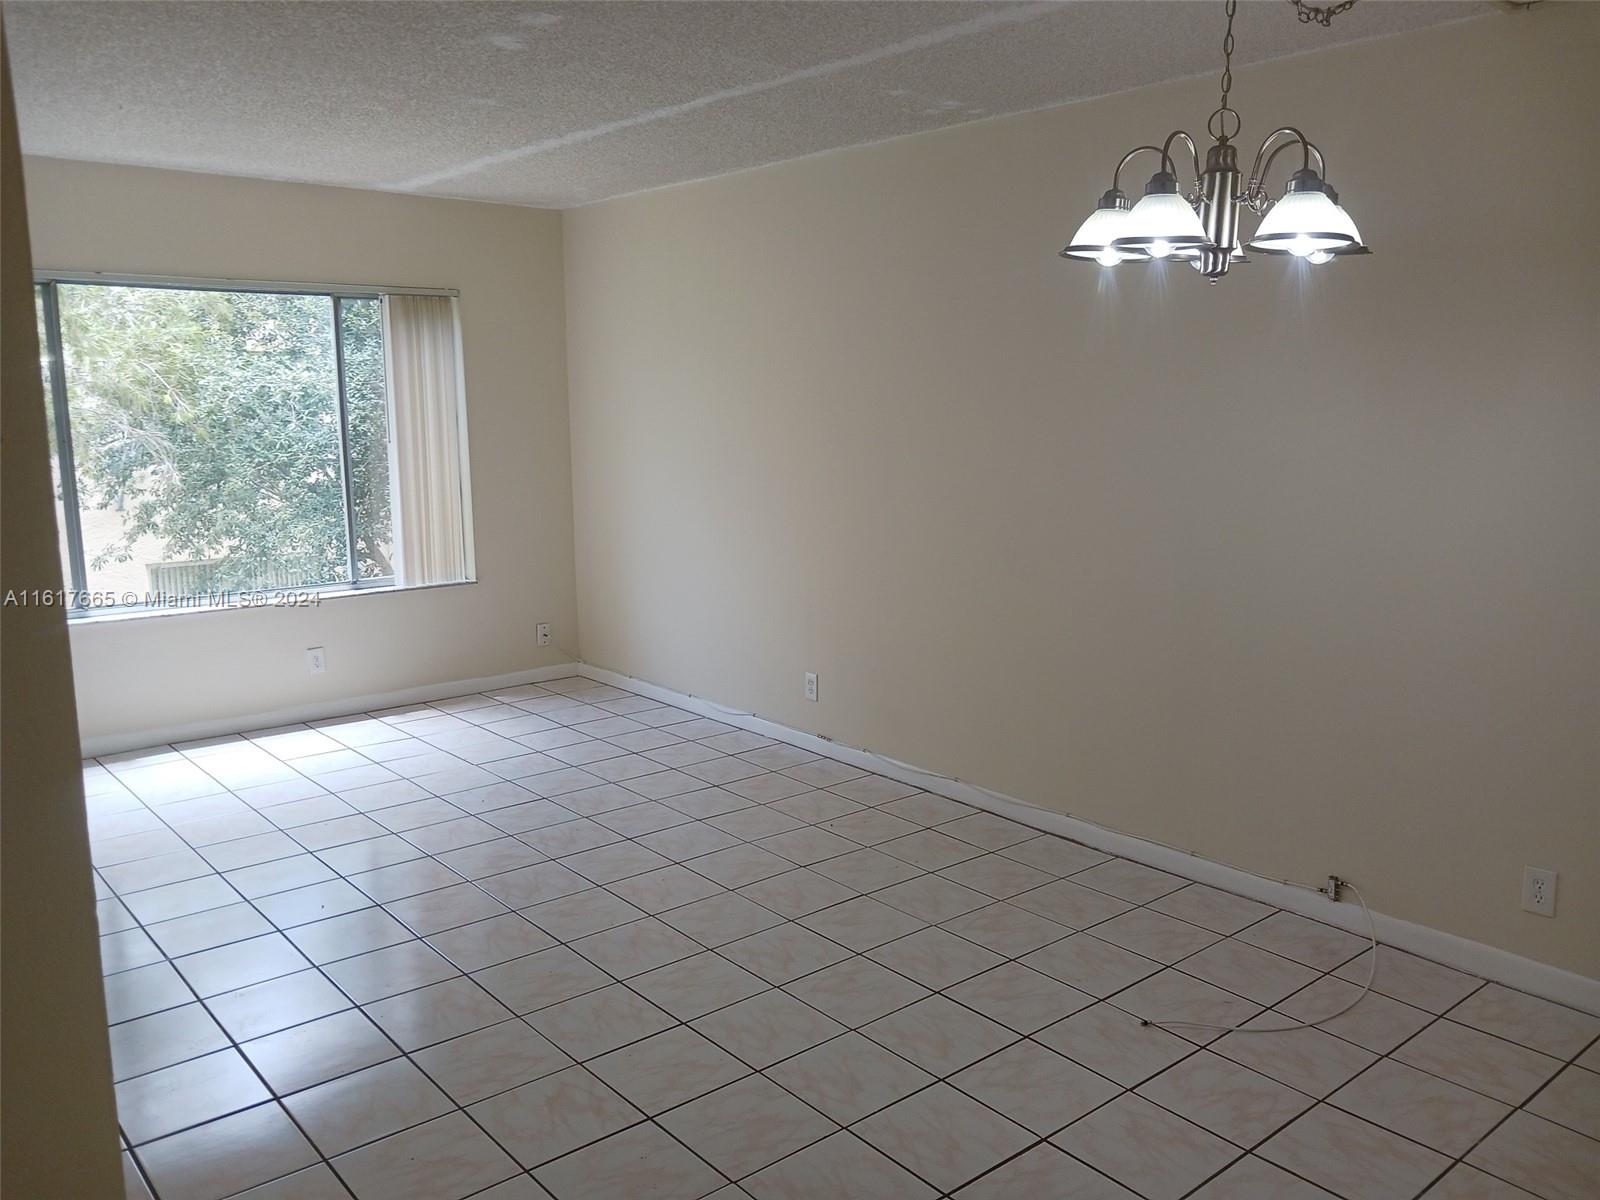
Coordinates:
430 503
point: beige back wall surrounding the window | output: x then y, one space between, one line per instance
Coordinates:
170 671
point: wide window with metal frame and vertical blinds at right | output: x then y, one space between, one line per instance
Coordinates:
214 444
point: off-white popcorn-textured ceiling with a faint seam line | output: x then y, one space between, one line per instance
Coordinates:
562 105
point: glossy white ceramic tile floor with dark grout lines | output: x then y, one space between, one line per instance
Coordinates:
566 942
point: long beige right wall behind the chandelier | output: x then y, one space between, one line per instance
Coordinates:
1298 574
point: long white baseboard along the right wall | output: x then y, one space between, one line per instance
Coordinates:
1489 962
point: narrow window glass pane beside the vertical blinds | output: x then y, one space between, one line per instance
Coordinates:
362 329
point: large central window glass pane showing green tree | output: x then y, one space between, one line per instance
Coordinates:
206 434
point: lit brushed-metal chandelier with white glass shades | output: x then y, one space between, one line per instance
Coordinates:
1202 228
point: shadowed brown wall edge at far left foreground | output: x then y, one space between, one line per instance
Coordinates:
60 1132
